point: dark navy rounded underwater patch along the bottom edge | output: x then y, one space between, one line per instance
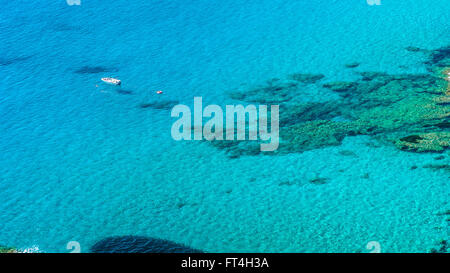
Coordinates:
139 244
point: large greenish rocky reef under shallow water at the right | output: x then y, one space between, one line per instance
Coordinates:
409 111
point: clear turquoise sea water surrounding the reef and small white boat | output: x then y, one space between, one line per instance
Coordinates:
82 163
